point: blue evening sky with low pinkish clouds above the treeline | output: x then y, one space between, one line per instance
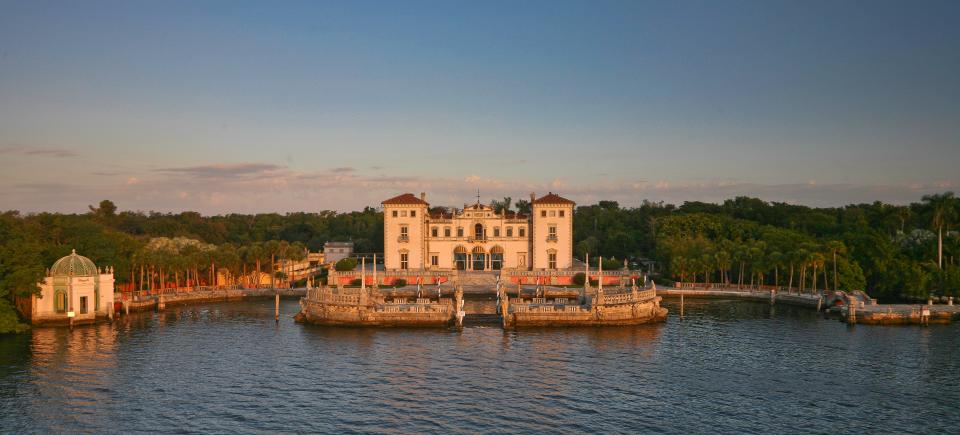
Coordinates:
239 107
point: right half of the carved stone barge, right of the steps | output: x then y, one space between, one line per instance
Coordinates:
617 308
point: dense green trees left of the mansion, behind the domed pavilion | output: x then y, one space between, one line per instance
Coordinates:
148 250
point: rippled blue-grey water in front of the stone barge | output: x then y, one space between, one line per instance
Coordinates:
727 367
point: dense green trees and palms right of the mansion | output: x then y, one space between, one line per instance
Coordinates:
889 251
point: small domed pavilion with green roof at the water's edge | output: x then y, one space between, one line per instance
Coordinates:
74 287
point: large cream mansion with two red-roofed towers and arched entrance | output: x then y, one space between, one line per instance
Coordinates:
477 237
